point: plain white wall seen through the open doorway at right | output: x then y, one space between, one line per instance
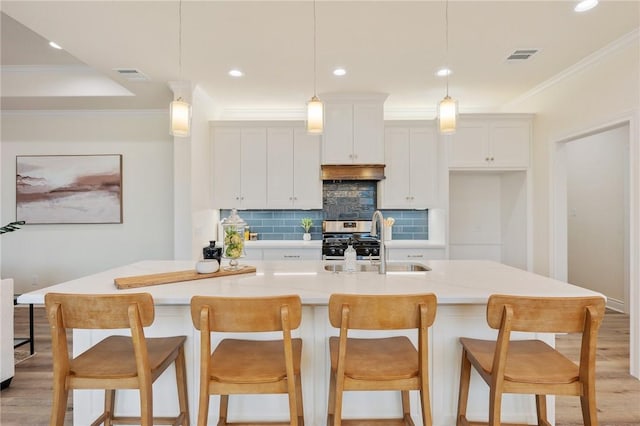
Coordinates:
597 212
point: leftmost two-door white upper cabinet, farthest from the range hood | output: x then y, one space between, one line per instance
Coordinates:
239 167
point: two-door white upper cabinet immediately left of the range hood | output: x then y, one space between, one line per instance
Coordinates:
293 169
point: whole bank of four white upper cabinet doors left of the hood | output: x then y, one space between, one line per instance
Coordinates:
265 165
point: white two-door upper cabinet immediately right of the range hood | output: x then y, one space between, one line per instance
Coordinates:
412 168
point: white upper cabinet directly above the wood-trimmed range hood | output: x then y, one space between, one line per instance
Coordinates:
353 129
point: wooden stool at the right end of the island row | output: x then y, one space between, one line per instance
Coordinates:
532 366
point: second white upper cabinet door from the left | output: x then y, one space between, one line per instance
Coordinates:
254 168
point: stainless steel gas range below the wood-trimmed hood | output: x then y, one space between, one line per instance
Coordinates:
336 235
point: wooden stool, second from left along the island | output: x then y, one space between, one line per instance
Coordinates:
241 366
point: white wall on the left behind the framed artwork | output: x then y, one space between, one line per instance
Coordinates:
37 256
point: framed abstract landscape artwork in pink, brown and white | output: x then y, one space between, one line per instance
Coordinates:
69 189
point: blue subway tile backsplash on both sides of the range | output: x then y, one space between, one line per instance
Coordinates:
285 224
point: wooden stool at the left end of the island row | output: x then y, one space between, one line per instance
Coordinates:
117 362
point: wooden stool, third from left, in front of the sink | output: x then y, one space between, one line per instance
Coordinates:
379 363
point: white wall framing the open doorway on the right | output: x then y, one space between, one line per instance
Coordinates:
602 91
